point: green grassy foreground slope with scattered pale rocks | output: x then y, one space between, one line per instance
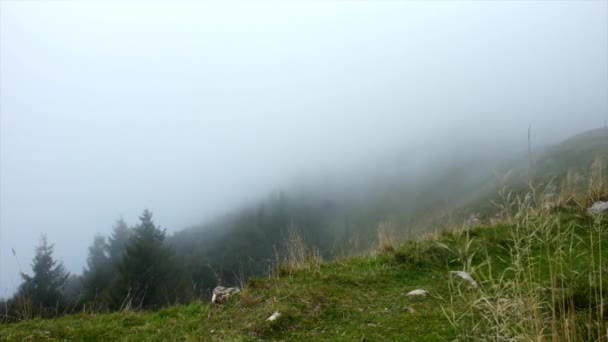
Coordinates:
552 262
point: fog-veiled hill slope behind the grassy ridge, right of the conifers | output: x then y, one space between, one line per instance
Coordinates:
342 218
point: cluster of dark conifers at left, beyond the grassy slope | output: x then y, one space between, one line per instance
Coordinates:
134 268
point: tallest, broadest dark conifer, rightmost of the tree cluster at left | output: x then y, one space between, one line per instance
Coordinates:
149 276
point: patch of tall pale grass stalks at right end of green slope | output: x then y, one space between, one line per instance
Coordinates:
549 292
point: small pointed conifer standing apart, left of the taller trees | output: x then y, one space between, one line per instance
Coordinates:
44 287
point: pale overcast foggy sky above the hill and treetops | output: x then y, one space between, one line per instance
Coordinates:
190 108
